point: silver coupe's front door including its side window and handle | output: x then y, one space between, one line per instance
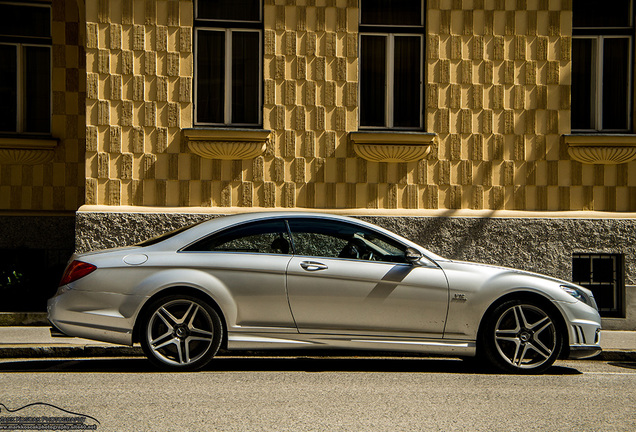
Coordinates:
345 278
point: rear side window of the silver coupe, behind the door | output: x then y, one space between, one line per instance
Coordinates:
266 237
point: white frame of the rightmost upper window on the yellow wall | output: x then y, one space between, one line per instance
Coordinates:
597 67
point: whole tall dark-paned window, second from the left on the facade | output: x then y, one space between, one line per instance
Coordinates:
228 62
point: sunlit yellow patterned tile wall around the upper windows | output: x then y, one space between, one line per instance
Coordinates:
497 94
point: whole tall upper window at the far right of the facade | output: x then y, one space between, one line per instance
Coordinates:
602 47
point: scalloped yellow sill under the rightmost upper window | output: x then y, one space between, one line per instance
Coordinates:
609 149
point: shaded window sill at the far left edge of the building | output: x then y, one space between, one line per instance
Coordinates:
27 151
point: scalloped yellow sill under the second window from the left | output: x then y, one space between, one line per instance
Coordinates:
228 144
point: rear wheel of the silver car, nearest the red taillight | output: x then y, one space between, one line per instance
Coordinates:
180 333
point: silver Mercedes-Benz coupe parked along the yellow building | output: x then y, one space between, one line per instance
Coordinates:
292 280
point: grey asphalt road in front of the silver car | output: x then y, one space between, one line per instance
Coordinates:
324 394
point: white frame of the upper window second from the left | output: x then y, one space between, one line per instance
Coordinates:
227 101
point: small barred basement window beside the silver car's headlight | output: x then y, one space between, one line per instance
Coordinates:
603 274
